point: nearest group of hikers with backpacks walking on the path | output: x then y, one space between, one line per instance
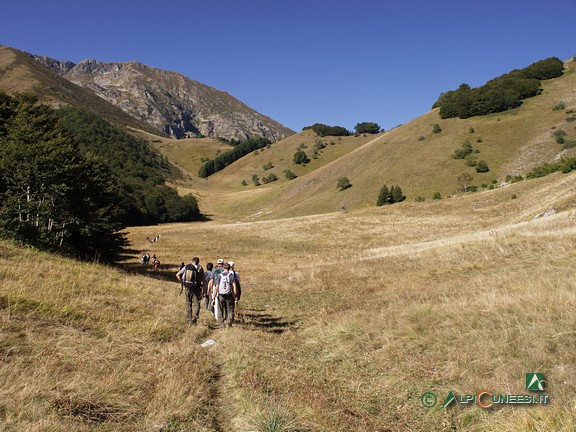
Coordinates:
217 289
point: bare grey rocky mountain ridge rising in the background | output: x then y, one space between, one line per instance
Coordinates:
169 101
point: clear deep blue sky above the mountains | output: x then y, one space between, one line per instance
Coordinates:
306 61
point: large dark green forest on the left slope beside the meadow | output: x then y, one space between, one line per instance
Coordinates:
70 181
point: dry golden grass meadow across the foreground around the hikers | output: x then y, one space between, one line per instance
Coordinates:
346 320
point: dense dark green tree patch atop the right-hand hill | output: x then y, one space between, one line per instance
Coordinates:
499 94
